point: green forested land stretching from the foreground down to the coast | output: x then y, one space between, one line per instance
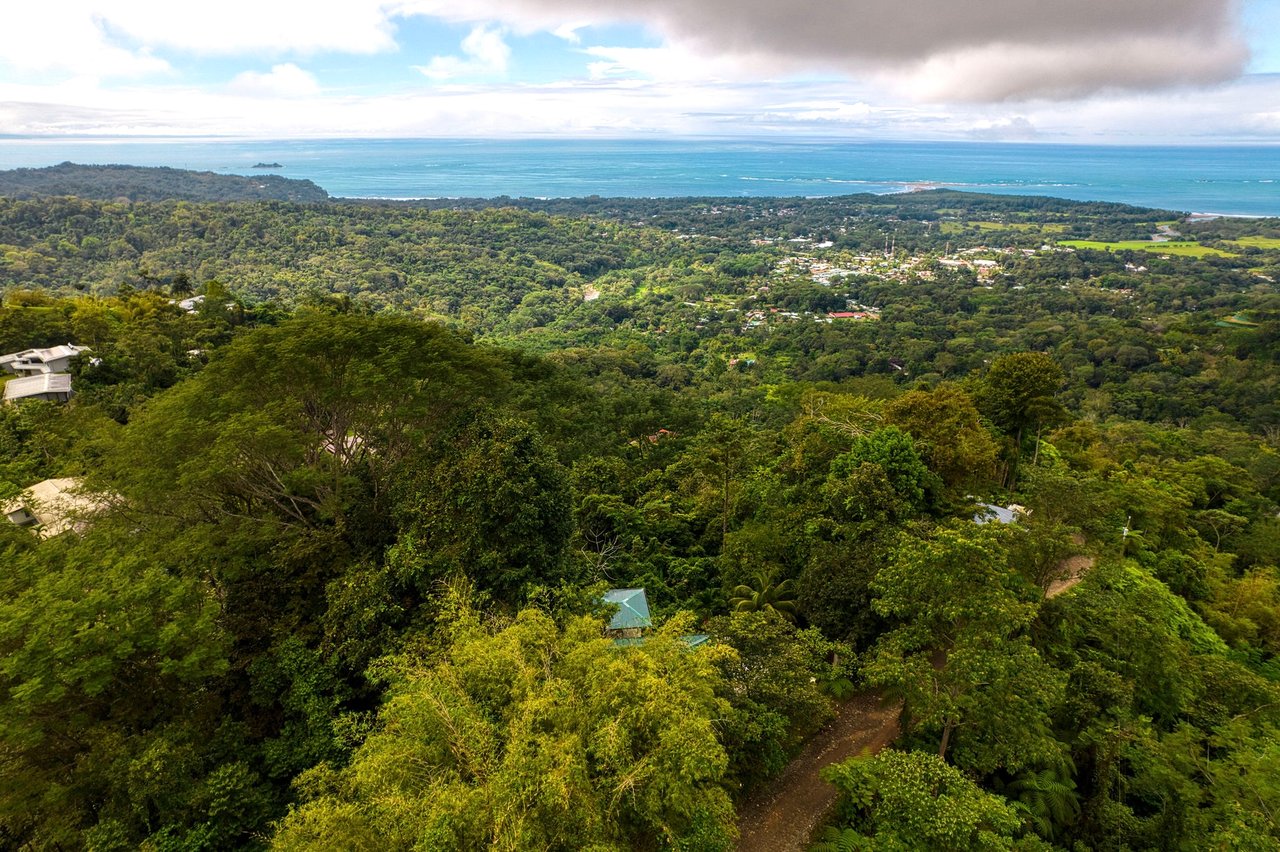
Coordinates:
358 509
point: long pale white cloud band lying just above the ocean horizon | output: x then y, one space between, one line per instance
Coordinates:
838 109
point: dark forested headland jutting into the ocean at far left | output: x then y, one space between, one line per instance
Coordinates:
148 184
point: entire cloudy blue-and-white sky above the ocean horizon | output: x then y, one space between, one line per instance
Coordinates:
1055 71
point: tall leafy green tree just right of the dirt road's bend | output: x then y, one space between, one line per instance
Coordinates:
961 656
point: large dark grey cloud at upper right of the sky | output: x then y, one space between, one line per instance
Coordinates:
949 49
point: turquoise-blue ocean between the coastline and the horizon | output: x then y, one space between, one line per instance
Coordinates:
1210 180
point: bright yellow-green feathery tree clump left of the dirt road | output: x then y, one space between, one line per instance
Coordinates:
534 738
